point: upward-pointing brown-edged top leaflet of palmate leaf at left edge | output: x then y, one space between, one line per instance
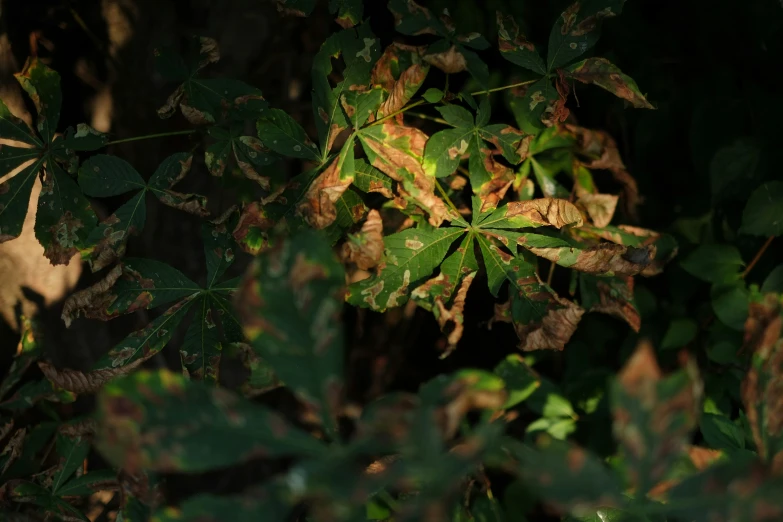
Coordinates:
42 84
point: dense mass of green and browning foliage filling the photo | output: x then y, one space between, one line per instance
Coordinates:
396 208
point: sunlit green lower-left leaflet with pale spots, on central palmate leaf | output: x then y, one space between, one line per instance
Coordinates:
410 256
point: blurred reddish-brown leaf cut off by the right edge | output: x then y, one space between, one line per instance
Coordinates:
761 388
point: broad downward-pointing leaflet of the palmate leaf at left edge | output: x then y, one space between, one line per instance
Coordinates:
65 217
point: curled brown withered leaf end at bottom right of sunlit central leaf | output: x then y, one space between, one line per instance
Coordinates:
554 330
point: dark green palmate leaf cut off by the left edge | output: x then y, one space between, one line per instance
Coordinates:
64 218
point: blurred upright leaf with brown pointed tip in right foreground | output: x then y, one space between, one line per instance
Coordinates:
653 416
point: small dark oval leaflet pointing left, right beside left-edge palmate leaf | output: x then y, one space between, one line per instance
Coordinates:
104 176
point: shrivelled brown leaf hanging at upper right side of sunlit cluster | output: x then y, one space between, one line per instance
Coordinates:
601 152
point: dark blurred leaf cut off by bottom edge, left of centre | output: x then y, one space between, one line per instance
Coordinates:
210 508
